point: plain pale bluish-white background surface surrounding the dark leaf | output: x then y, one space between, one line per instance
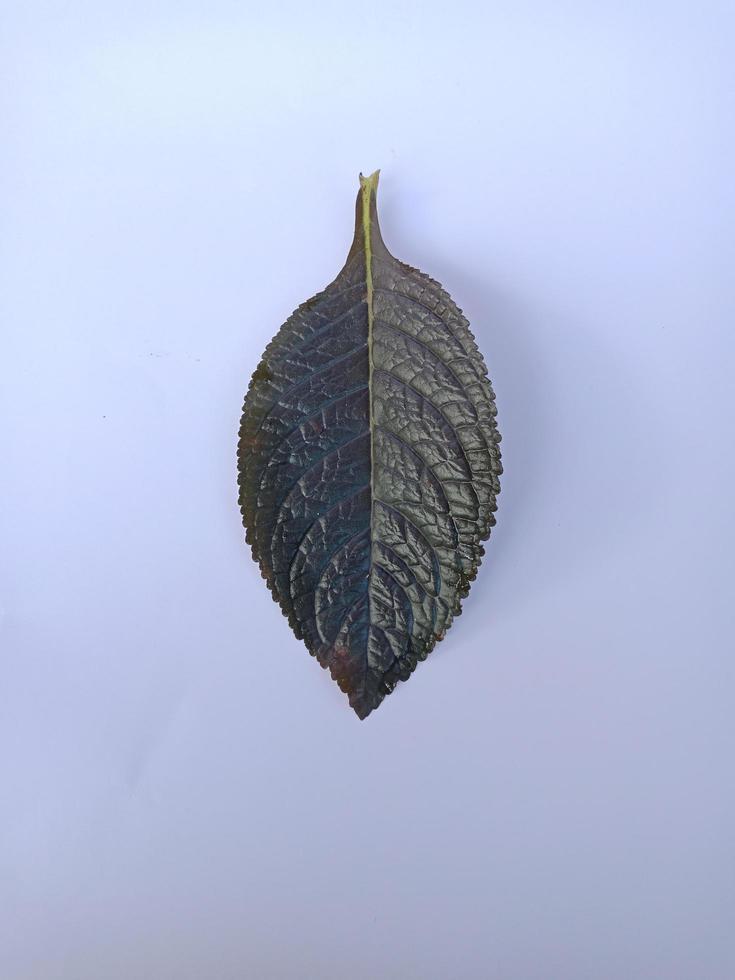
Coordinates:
185 794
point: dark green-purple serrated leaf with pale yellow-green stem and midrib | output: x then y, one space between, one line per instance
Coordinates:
368 466
